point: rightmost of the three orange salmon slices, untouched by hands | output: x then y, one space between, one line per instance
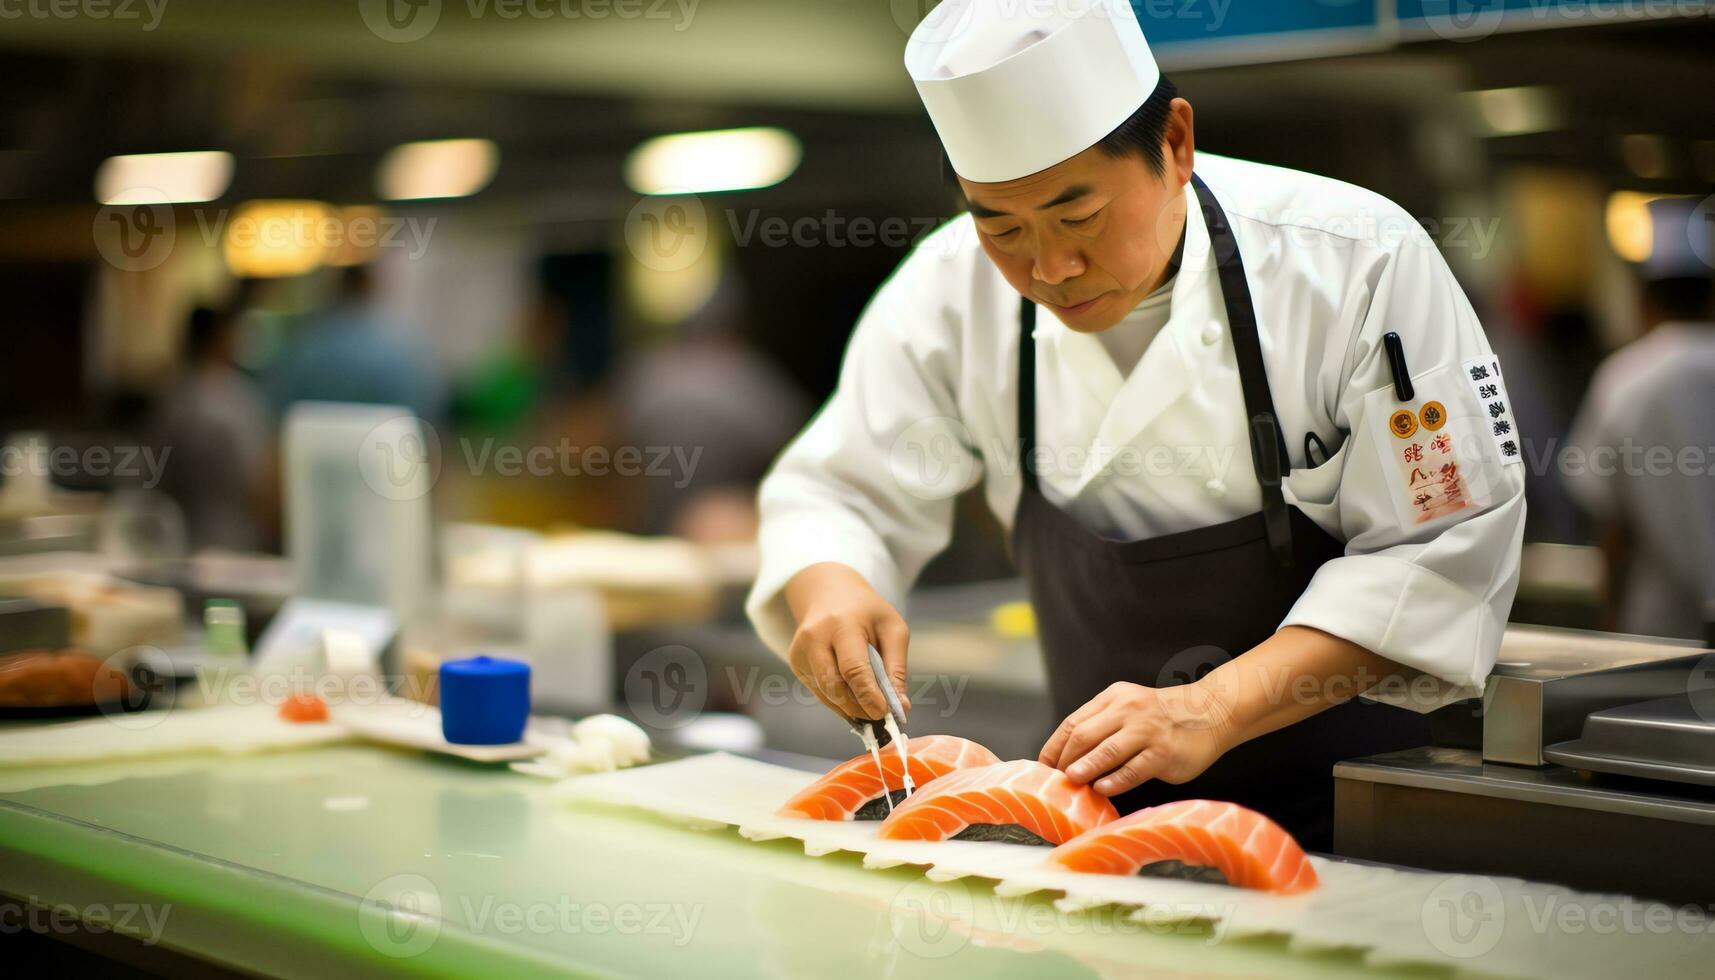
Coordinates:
1189 838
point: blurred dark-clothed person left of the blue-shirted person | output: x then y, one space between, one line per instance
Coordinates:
219 442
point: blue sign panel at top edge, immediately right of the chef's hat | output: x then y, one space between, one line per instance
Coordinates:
1182 21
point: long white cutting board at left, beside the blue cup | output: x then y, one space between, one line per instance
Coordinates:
238 730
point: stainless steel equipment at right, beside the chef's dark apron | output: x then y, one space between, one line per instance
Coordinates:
1553 797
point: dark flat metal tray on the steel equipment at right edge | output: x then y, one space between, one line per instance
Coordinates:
1670 739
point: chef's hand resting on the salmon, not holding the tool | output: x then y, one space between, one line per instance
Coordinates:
1131 734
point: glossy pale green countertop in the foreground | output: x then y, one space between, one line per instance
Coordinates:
359 861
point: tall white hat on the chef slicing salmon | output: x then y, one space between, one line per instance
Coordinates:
1018 87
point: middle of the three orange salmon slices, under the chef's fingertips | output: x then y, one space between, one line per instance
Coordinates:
990 799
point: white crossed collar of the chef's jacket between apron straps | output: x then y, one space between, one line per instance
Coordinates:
1193 351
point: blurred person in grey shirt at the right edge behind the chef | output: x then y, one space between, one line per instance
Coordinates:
1646 440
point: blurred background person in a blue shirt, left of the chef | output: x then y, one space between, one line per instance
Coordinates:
354 353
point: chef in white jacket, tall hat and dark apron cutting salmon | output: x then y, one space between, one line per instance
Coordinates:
1246 433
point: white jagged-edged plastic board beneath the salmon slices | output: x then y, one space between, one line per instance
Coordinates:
1479 924
